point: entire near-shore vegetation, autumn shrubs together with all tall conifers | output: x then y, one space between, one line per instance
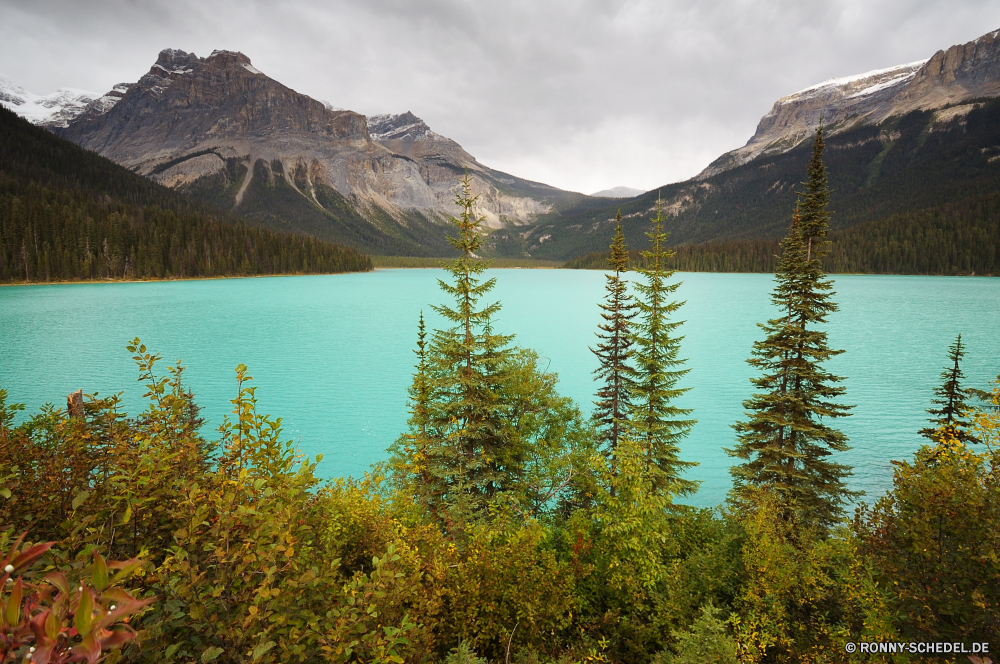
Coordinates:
504 526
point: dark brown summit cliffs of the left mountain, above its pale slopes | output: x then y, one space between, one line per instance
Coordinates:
188 104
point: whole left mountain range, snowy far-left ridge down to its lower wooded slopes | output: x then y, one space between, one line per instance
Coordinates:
223 131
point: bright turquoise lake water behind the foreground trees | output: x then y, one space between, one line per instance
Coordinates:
332 355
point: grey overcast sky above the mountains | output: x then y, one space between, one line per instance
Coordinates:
583 95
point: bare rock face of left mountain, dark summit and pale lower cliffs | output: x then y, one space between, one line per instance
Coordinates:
212 125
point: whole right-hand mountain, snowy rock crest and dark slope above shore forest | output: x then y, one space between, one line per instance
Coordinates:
899 140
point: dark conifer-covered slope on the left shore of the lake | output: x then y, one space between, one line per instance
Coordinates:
68 214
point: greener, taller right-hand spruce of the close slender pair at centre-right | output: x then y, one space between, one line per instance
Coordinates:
656 424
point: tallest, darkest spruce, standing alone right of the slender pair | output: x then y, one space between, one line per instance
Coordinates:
785 443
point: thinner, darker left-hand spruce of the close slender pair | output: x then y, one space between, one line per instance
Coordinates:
614 349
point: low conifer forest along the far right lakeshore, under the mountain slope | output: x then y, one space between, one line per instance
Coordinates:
961 238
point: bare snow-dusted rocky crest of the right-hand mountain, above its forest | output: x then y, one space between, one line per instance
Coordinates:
950 77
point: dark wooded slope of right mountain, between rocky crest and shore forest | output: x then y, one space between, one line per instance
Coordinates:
922 161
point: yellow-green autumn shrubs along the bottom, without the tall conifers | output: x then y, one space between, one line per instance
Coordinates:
236 552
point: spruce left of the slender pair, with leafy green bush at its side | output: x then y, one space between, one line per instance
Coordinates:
486 423
